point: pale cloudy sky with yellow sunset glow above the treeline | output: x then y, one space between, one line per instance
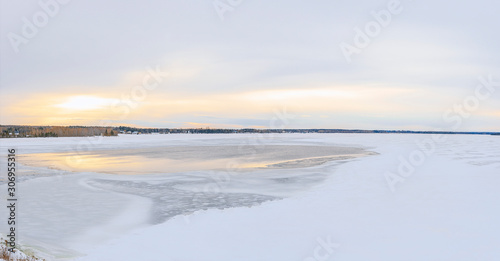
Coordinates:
415 65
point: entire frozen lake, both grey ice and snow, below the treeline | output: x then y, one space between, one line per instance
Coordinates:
258 197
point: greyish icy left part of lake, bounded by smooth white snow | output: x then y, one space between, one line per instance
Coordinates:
80 192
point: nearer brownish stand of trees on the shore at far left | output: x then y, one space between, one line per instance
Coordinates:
9 131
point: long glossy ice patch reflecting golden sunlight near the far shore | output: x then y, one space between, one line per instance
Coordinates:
165 158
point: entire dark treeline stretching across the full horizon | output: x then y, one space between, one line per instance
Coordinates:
11 131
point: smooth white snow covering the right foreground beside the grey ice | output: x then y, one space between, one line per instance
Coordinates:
446 209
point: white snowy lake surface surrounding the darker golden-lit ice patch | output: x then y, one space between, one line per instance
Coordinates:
448 208
